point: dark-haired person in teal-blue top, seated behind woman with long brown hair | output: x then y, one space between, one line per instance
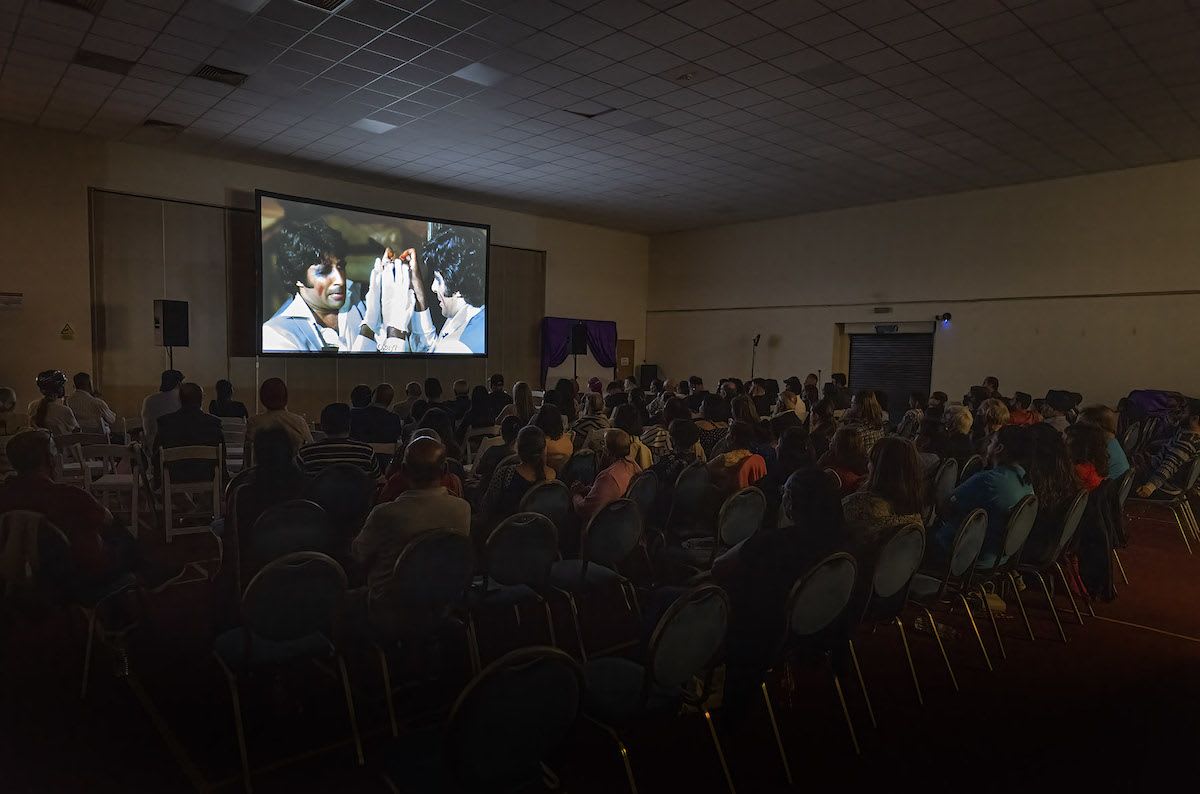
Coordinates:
997 490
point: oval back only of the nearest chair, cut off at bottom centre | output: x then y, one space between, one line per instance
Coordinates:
512 718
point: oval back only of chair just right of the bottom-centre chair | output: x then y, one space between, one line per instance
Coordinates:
688 639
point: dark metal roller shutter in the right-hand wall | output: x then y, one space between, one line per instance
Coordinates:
895 364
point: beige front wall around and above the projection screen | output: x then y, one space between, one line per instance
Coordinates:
591 273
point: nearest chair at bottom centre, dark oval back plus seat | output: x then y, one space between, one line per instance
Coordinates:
501 731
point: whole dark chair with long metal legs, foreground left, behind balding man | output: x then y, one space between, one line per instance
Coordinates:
289 613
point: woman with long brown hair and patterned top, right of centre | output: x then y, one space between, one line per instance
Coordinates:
892 497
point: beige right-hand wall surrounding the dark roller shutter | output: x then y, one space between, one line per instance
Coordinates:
1088 284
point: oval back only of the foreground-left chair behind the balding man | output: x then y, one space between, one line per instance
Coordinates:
295 597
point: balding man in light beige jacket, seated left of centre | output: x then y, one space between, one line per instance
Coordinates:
427 506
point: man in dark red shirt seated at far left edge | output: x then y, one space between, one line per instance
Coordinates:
101 550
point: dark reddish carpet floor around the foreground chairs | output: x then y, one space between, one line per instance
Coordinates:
1115 709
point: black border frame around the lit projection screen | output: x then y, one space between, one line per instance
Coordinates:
260 195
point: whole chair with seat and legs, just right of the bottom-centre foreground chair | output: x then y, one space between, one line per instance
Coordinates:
685 646
